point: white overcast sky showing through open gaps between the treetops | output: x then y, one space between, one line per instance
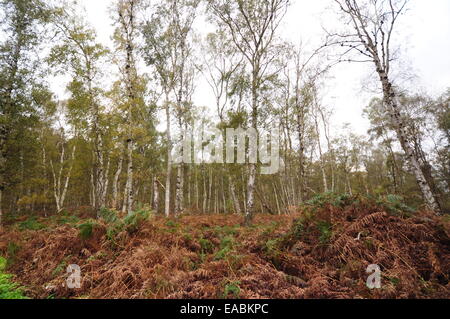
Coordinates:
424 34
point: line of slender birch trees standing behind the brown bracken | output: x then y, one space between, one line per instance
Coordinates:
110 143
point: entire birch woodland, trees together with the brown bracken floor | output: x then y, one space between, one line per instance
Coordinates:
90 179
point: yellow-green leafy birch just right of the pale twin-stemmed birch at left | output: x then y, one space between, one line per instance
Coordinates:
80 54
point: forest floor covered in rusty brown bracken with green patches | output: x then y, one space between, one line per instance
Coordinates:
321 251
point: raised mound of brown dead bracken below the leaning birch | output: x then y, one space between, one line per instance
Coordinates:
330 248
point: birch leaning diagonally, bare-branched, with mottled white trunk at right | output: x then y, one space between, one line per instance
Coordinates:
372 29
